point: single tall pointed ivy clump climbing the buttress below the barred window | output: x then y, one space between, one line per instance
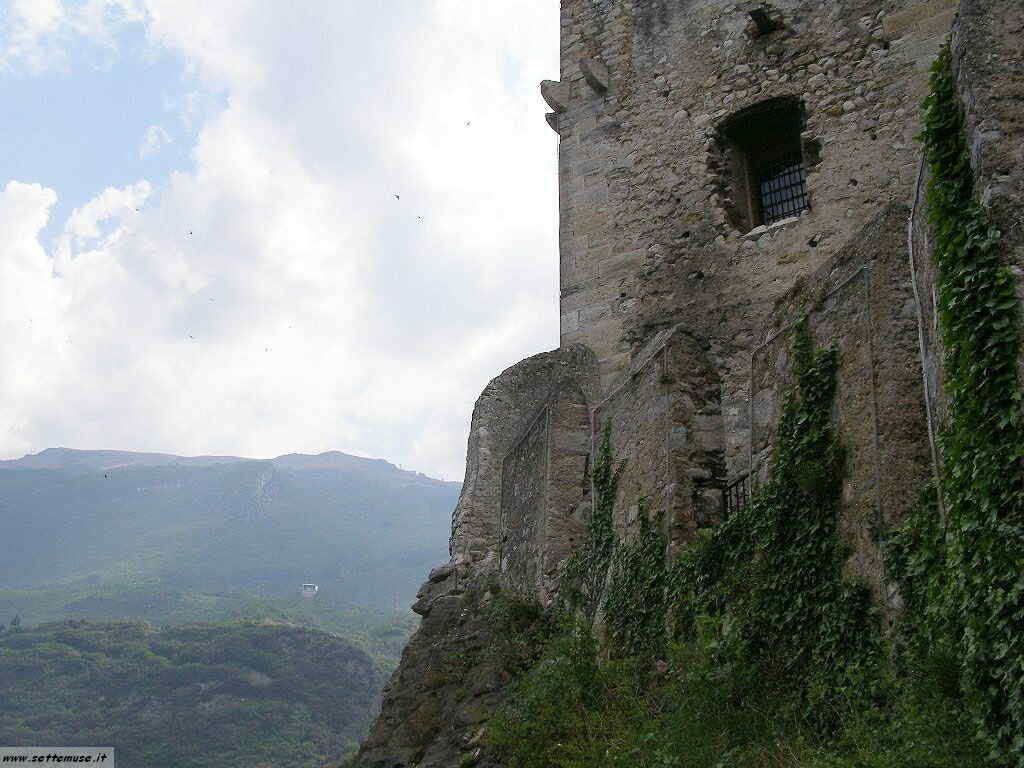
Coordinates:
772 575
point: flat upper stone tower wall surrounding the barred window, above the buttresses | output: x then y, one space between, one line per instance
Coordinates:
647 242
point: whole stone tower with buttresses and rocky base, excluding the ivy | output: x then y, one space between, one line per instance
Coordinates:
727 168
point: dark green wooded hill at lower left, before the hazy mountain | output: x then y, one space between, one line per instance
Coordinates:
196 697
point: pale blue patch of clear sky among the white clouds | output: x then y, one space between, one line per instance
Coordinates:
81 129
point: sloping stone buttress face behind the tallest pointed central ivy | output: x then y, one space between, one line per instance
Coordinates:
861 304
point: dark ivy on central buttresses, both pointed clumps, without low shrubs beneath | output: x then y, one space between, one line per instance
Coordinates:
770 579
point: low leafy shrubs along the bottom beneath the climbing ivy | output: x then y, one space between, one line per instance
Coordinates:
684 710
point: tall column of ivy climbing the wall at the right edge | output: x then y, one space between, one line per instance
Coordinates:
966 583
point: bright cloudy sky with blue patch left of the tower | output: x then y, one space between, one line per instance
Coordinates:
202 250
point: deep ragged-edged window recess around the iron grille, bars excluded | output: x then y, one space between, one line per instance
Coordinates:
751 141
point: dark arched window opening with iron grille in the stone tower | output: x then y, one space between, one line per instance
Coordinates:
761 164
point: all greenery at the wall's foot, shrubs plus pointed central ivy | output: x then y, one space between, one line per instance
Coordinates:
751 651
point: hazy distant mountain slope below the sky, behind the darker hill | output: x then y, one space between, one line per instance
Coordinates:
234 540
